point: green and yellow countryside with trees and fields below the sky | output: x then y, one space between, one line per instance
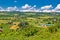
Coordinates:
29 26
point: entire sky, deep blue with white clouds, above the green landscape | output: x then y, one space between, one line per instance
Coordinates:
30 5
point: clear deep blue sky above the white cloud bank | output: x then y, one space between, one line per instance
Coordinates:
19 3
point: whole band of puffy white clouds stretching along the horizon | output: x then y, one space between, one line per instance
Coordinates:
29 8
